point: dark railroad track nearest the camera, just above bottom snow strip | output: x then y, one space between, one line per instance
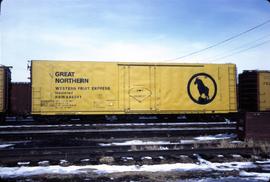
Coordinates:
76 154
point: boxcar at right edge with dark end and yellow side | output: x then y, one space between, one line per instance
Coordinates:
254 91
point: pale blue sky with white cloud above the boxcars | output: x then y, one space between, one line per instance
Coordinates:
133 30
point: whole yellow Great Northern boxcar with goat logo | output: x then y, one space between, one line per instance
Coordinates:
85 88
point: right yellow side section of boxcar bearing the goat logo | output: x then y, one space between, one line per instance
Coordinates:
196 89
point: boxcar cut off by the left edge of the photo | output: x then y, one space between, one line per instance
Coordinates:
5 79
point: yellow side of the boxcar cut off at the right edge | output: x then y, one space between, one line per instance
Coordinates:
264 91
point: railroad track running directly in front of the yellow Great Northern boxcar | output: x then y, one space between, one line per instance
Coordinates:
116 130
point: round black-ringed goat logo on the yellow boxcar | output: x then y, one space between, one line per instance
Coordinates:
202 88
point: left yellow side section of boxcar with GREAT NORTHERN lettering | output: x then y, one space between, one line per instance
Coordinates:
74 87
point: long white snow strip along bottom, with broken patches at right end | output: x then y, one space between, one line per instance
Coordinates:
202 165
